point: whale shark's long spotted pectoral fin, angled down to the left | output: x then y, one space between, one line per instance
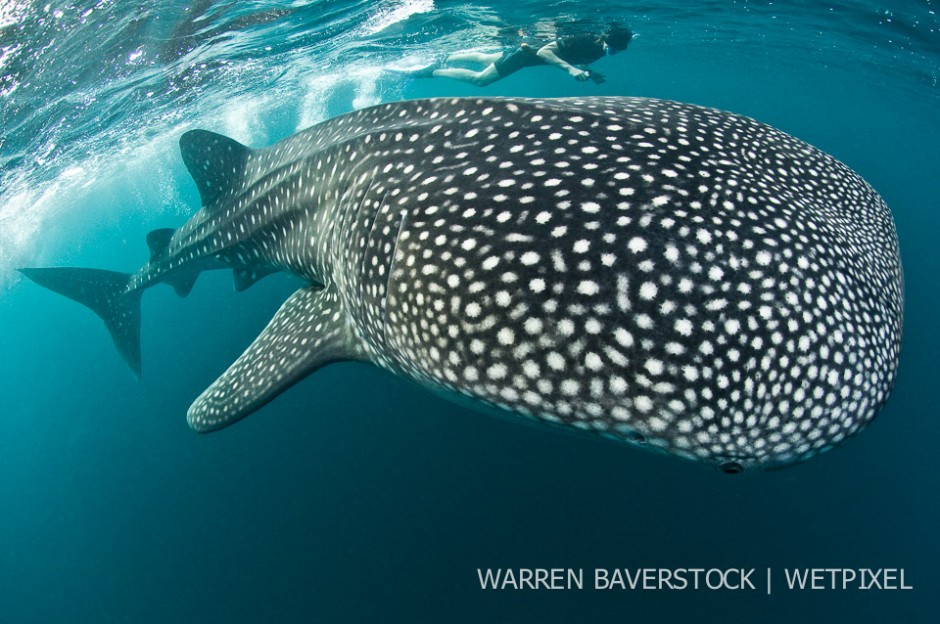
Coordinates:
310 330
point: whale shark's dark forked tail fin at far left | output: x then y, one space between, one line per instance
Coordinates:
106 293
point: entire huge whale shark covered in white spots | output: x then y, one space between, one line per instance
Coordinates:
668 275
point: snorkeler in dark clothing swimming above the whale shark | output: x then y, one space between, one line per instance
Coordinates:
569 53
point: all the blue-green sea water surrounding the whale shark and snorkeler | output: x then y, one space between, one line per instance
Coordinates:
356 497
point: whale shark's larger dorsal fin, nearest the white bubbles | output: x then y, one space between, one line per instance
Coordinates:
216 163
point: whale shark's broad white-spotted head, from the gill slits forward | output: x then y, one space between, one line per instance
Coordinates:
665 274
